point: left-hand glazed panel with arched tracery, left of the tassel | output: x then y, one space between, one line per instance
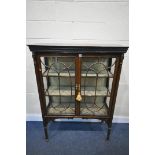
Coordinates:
58 74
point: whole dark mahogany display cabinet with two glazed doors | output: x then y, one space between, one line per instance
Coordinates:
77 81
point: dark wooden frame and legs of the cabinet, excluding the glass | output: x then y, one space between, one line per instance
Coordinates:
77 51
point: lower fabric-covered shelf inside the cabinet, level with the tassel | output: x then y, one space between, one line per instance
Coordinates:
66 91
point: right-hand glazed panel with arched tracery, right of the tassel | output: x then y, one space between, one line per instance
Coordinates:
97 74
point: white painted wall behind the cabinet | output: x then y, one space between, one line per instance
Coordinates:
77 21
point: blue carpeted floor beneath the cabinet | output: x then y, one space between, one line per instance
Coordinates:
69 138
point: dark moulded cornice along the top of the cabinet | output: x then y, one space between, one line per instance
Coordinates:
75 48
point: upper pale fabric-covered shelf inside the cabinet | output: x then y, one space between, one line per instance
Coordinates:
72 74
